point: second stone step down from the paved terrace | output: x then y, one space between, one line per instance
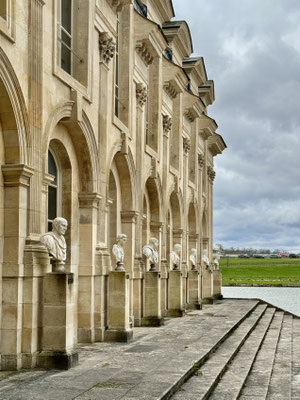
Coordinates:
236 374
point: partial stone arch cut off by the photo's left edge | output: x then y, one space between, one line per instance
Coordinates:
13 115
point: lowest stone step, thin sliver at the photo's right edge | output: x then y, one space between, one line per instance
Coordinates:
296 359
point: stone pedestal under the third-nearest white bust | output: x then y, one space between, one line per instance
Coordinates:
152 300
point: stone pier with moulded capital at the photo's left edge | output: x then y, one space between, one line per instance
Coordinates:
16 187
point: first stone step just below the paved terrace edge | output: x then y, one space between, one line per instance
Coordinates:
201 385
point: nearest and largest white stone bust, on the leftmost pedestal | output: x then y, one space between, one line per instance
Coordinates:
56 244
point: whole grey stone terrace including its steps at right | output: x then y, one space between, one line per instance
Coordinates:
233 349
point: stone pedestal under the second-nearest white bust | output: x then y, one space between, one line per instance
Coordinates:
118 308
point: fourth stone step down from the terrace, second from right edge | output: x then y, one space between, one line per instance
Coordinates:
280 383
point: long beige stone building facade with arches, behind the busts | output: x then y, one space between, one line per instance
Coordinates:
103 121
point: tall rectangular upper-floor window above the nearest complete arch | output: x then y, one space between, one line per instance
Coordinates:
65 35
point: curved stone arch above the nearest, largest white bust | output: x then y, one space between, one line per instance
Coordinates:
83 138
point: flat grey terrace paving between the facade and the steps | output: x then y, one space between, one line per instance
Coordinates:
148 368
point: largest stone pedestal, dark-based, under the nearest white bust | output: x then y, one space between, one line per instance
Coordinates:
58 314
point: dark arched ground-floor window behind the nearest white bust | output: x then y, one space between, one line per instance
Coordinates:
52 191
